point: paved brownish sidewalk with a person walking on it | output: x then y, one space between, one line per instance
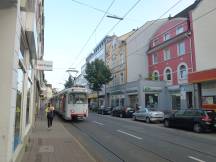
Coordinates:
55 145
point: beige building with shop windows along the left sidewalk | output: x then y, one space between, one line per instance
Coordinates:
21 44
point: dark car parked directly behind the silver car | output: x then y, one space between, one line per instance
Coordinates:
123 112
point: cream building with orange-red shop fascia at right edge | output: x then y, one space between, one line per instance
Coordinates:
204 78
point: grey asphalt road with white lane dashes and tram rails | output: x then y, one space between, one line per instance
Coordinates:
115 139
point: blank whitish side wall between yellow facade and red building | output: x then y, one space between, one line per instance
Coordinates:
137 47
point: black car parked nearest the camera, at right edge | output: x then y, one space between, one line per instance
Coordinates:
198 120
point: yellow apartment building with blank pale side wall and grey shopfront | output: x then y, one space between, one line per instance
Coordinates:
127 59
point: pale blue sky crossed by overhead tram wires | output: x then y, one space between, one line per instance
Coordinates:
70 28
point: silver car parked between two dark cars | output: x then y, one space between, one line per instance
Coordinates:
148 115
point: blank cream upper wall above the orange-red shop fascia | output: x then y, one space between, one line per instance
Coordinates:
204 24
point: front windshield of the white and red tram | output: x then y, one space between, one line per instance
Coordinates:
78 98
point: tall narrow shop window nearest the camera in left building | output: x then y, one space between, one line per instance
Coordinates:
19 100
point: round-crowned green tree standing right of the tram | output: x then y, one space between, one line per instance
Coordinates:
97 75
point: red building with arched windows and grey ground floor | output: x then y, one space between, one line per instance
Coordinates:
170 59
